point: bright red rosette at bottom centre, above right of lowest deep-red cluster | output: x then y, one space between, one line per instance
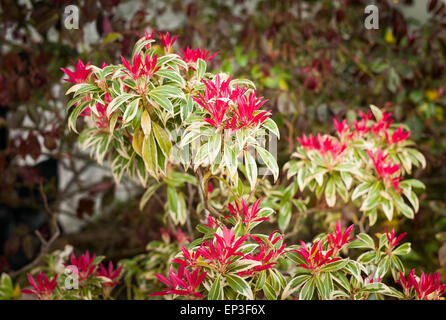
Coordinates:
224 248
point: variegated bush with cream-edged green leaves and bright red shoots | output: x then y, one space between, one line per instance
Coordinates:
132 111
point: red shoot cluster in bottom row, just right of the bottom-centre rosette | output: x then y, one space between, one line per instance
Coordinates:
268 254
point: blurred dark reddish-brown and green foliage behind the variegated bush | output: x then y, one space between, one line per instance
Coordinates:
313 60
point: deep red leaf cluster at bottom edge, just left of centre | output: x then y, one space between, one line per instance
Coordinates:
182 283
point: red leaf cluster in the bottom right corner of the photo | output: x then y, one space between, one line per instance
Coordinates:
428 287
